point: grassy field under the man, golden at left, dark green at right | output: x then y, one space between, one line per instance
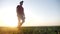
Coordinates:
31 30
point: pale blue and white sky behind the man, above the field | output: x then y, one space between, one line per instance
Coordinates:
37 12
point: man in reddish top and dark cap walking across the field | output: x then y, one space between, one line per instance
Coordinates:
20 14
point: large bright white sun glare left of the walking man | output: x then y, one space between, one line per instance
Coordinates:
9 17
